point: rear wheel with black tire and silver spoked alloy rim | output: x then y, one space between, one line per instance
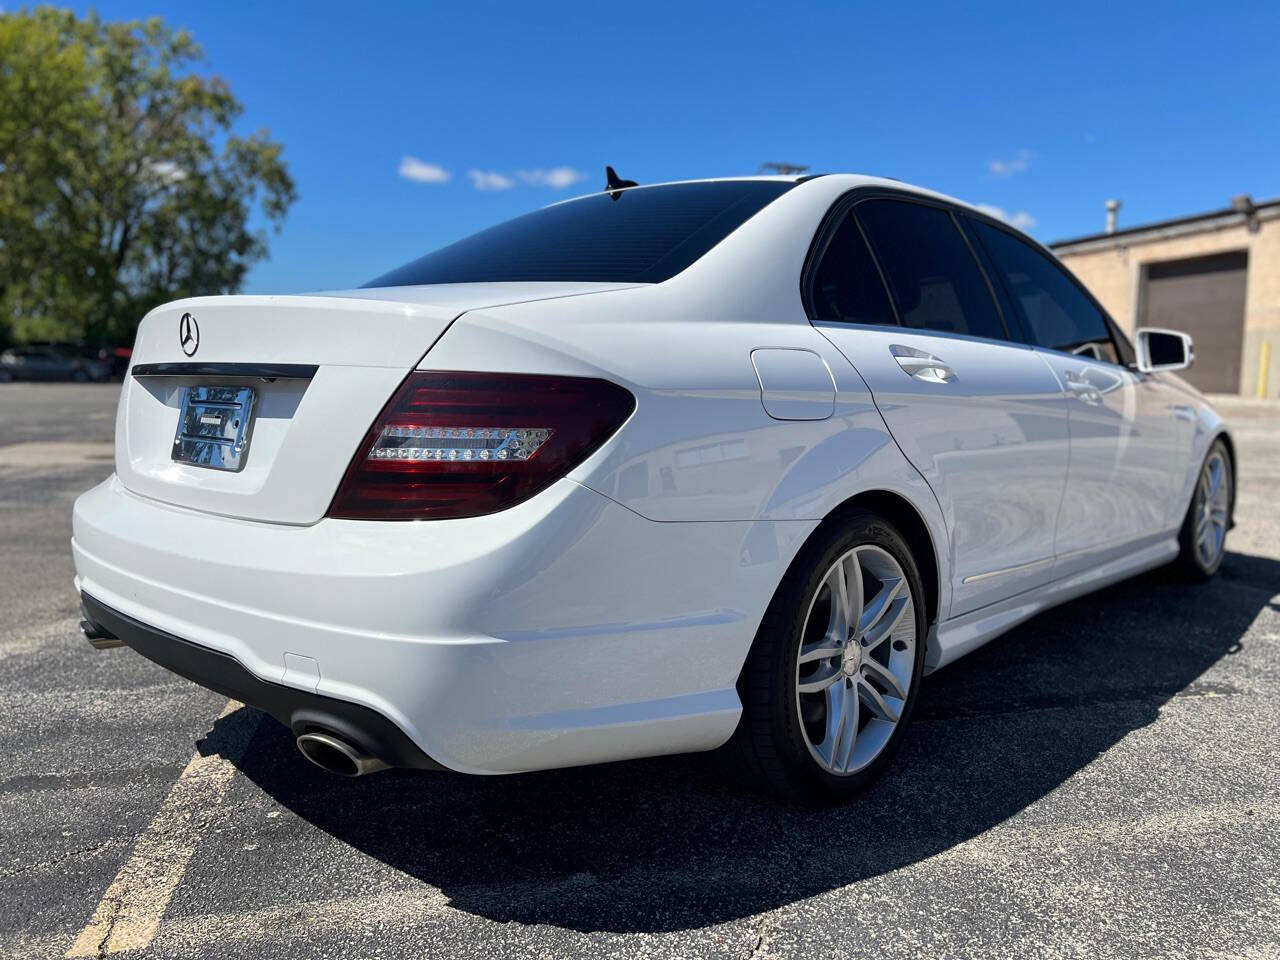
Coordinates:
790 739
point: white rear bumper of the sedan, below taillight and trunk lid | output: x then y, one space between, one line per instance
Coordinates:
563 632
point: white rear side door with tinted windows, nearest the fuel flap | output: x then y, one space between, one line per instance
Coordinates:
982 418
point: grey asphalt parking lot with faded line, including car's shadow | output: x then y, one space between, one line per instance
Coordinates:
1104 781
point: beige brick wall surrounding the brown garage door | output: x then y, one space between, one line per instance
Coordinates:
1114 275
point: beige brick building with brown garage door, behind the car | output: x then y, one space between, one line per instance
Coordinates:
1215 276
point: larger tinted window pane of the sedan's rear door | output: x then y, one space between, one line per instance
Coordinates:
930 268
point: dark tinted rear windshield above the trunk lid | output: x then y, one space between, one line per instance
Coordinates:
644 235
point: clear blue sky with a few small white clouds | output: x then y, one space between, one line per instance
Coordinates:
409 126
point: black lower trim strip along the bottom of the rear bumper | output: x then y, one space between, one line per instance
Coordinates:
299 710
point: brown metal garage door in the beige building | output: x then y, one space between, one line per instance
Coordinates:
1205 298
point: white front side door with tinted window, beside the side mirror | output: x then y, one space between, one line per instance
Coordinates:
1130 432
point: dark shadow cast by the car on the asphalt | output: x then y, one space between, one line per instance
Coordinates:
671 844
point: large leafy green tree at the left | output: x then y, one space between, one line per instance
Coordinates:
122 185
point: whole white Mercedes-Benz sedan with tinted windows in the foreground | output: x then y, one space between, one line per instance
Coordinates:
719 464
